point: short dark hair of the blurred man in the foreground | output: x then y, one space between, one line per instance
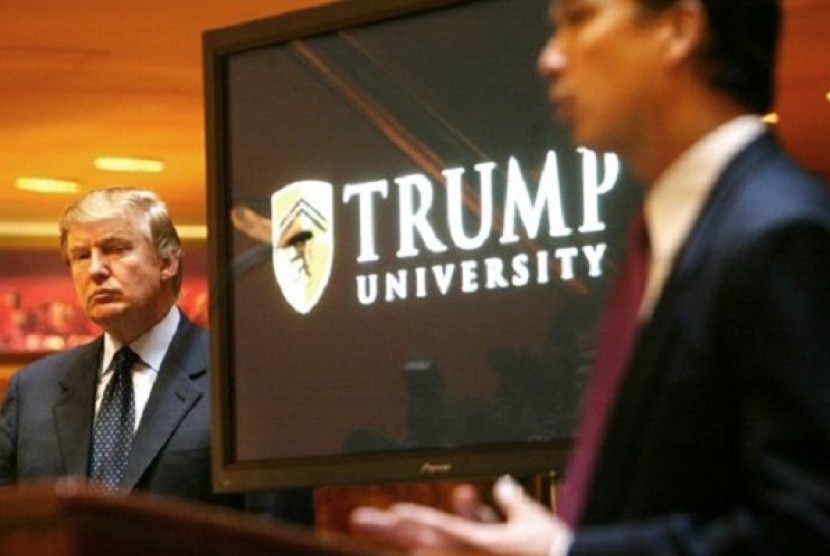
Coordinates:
739 52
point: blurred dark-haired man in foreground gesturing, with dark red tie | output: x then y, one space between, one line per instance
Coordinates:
716 439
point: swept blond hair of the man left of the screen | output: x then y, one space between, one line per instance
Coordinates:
119 202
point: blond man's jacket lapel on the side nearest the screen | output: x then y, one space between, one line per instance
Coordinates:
173 395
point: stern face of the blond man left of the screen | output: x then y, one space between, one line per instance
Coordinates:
119 279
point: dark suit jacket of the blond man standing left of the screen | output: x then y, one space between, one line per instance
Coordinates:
46 420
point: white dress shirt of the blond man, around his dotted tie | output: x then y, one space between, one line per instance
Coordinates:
151 347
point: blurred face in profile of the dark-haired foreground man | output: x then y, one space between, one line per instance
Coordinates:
603 65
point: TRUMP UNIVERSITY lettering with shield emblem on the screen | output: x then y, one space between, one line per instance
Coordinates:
438 250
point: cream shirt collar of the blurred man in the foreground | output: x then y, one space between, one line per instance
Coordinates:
675 199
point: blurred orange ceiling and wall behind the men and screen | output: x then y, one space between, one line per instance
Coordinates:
87 79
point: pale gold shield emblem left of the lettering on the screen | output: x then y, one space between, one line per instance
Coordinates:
302 220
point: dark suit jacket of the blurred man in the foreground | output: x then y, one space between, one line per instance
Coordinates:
720 439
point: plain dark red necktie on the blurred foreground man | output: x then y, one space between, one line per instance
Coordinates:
618 333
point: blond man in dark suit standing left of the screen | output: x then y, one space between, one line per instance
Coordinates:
125 259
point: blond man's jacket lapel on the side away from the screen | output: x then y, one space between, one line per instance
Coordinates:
74 410
